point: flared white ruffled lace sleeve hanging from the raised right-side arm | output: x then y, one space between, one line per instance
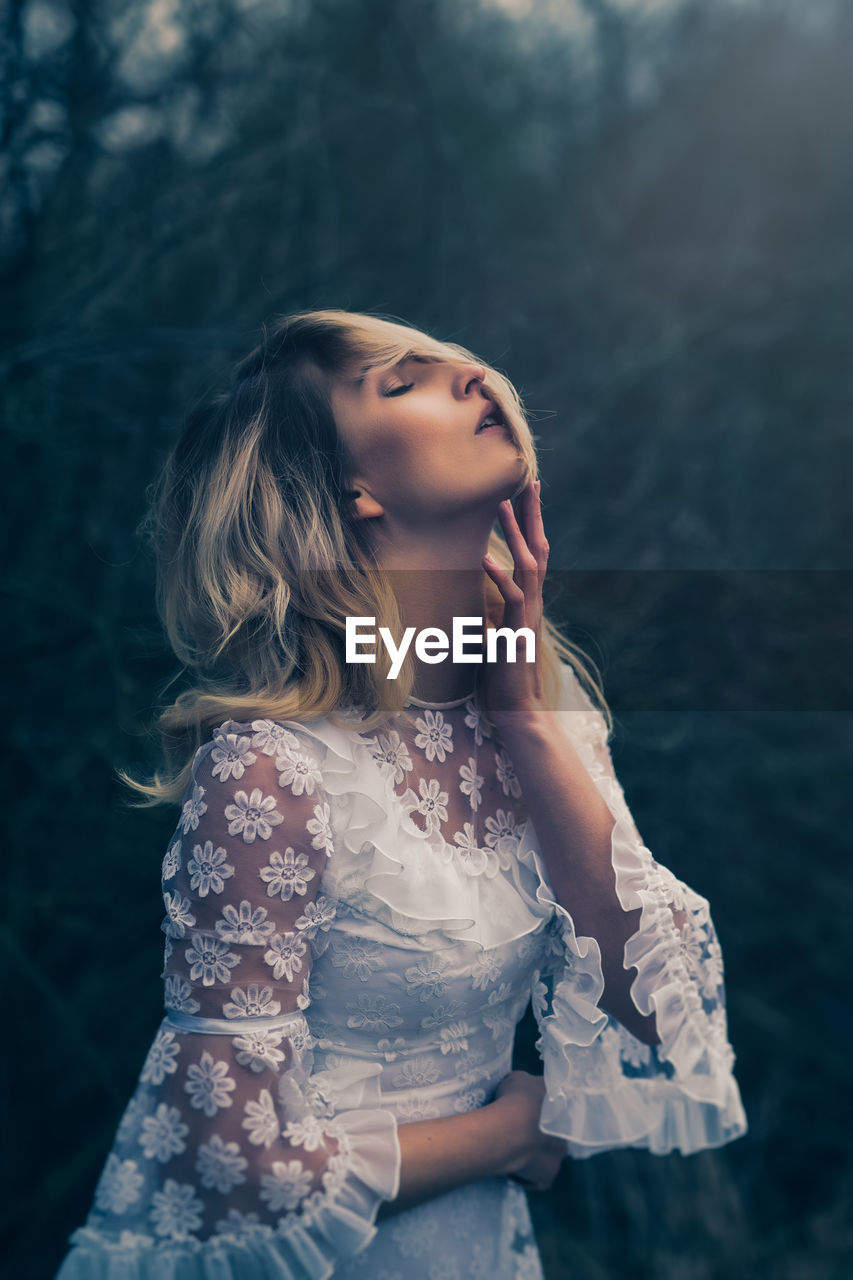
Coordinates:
605 1087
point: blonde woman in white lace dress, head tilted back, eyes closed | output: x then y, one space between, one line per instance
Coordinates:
372 877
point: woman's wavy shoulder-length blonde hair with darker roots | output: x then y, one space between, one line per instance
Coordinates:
261 556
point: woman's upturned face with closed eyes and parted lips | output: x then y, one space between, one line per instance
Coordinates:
412 431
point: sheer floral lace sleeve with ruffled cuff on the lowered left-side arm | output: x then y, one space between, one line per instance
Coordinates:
230 1144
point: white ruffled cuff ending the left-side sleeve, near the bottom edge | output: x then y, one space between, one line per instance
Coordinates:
335 1224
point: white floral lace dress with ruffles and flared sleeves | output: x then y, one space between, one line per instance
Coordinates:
355 926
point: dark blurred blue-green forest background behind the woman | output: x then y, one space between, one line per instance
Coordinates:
642 213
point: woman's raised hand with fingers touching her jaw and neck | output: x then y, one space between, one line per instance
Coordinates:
516 688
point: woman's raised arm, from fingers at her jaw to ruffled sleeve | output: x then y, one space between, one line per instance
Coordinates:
632 940
